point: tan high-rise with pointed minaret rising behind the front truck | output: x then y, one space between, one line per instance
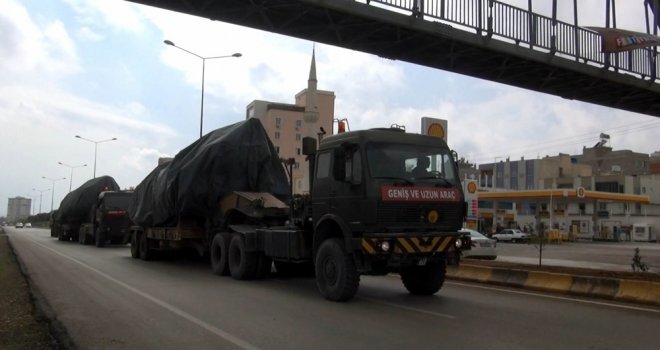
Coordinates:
312 115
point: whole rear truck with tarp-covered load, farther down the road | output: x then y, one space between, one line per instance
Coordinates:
93 213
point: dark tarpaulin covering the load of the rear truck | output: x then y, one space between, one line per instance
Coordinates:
76 206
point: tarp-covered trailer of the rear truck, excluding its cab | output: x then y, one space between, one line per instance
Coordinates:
78 207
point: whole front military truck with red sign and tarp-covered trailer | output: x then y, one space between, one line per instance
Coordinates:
227 196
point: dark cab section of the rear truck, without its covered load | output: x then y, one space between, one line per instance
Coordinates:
109 220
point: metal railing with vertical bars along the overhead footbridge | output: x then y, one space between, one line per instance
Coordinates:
495 18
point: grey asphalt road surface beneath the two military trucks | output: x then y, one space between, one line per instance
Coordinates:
107 300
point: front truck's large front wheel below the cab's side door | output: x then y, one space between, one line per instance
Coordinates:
336 274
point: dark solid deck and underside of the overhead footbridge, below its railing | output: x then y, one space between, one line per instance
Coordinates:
402 37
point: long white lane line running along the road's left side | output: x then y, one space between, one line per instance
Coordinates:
217 331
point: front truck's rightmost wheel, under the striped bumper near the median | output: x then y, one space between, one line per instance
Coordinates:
424 280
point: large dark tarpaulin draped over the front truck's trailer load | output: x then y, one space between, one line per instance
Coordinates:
238 157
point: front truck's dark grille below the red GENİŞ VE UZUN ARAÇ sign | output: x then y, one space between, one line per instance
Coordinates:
406 214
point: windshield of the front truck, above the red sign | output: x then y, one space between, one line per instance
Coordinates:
414 163
